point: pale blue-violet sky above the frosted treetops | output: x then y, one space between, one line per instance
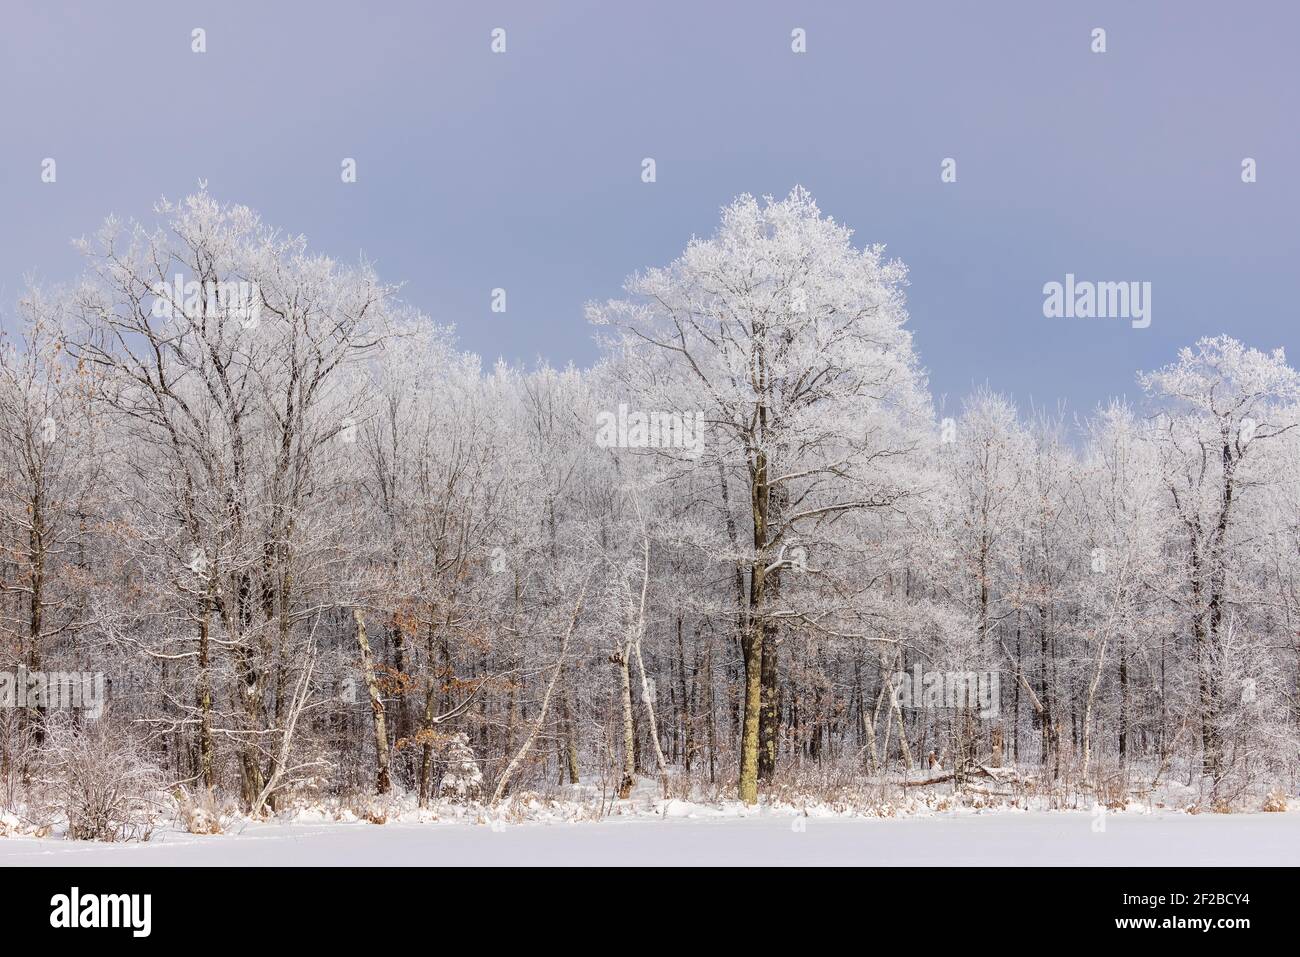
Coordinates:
523 170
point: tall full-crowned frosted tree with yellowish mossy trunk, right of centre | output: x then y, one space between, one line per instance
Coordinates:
792 343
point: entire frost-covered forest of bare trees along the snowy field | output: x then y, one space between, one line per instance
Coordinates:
288 545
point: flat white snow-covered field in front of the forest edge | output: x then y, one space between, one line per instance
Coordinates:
944 841
